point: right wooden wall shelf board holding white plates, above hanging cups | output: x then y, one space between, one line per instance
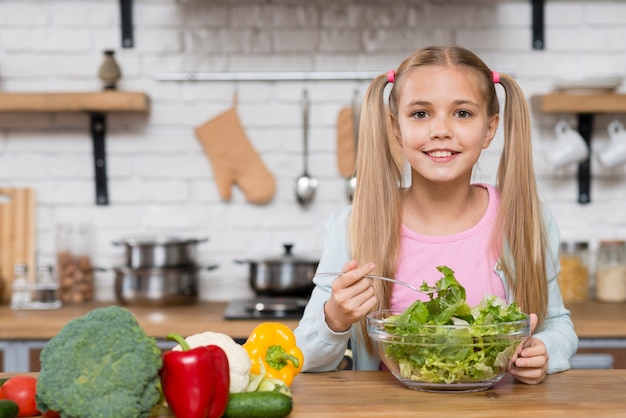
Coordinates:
581 103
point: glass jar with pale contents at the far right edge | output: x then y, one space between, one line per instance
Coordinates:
611 271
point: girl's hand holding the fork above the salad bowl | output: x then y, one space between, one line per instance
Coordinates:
352 296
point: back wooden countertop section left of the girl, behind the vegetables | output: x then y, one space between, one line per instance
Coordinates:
156 321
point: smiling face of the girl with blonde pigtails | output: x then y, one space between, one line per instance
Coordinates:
443 122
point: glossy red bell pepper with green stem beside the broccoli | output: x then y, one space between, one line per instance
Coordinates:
195 381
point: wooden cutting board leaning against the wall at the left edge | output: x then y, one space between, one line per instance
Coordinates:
17 234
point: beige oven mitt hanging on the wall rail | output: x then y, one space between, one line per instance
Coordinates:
234 160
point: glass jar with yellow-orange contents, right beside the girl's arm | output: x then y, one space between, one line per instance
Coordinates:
574 275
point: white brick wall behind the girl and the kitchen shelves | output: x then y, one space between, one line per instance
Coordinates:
159 178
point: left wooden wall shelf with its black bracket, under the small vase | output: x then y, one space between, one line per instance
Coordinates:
97 104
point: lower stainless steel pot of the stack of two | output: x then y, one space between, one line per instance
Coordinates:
156 286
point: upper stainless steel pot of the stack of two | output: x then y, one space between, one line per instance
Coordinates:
160 251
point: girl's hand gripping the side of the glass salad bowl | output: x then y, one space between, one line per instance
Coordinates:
531 364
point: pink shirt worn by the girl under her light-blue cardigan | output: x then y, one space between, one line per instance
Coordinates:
467 253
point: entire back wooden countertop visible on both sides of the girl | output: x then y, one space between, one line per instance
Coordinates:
591 320
